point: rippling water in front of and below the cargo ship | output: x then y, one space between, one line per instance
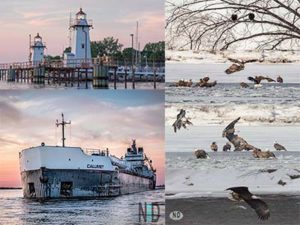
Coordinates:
123 210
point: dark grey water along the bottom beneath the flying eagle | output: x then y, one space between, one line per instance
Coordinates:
285 210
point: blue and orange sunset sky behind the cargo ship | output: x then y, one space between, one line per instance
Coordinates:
100 119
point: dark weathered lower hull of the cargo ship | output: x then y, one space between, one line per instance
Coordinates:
46 183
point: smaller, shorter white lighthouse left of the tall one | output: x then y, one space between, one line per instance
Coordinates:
37 49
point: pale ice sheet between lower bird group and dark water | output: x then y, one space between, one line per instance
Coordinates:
191 177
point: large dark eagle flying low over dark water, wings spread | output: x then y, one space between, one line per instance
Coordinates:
242 194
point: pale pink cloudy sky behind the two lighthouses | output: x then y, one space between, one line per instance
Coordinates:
117 18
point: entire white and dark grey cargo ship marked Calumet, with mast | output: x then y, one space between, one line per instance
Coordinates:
70 172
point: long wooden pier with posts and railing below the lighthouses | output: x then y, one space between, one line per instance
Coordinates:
80 72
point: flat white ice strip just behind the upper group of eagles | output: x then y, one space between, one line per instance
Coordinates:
175 71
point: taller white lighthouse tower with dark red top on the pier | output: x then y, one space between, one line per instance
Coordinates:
81 47
